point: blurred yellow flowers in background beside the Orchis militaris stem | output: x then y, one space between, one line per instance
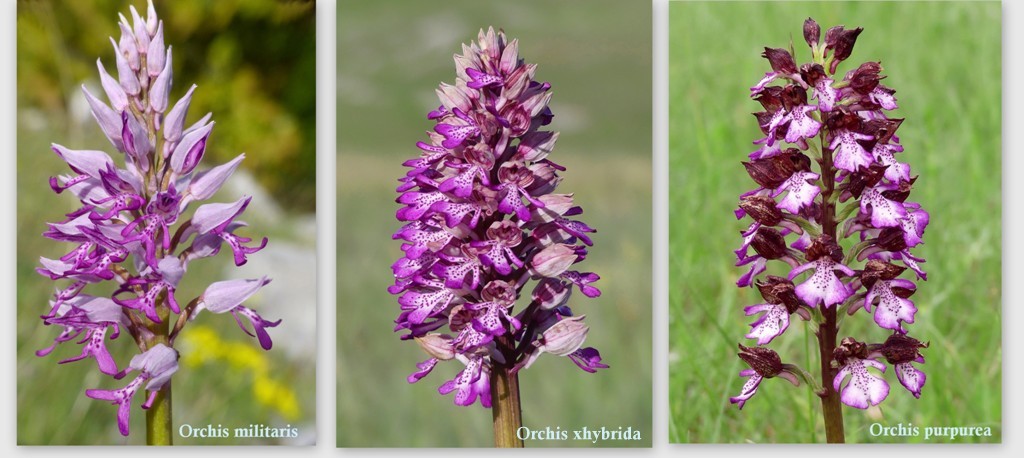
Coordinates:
202 346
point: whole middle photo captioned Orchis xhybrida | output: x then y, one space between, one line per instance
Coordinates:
495 224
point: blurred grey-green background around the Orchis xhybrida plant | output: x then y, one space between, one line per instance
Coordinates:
392 57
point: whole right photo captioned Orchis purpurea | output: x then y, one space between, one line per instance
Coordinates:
835 223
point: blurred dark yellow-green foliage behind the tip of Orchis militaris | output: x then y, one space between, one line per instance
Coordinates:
253 61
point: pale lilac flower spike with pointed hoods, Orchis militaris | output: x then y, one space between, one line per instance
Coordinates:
132 231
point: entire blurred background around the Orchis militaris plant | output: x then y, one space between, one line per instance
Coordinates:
254 65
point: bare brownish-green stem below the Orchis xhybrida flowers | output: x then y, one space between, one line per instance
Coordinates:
506 409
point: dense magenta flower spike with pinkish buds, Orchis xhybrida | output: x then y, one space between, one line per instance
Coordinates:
482 221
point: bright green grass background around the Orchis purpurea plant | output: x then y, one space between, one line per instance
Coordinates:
945 62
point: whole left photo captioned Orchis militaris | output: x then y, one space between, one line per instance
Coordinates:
166 223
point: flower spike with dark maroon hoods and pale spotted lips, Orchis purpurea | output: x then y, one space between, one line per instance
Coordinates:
829 178
